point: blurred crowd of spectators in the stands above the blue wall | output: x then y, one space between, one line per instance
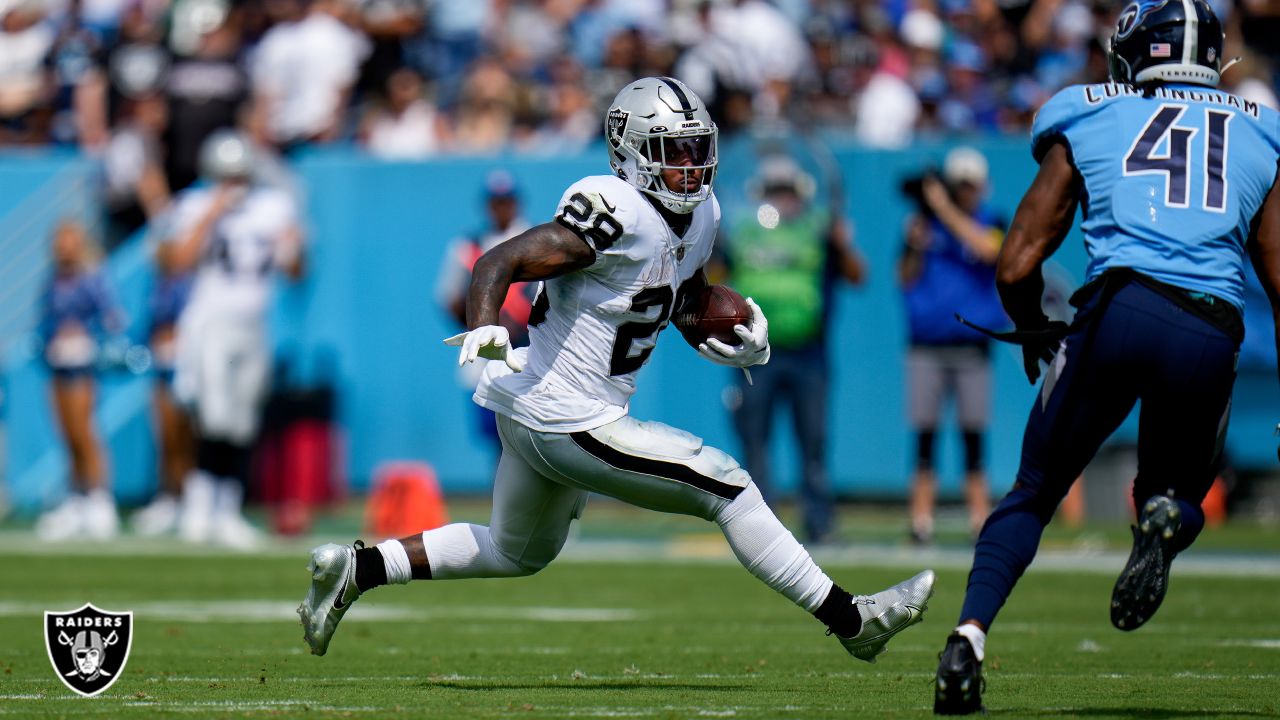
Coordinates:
143 83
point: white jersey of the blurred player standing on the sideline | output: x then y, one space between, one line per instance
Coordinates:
241 252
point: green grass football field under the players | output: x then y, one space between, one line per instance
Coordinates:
643 637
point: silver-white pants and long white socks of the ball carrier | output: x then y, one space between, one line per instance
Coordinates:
542 486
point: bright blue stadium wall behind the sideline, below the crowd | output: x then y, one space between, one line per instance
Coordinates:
368 317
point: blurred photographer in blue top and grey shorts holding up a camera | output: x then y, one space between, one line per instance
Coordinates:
948 267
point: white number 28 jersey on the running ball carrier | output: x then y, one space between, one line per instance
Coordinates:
591 331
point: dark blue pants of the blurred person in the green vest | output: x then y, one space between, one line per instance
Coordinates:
798 377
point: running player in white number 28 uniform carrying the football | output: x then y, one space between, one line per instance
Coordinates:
615 262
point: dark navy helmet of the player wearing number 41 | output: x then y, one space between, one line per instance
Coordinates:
1168 42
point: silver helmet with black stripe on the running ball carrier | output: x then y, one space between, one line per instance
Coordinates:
656 125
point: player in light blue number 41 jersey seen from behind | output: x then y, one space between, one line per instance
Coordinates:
1176 184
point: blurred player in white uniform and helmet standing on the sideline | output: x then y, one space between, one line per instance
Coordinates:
235 234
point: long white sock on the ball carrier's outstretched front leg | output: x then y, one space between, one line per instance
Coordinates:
771 553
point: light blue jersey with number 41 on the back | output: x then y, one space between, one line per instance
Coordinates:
1173 179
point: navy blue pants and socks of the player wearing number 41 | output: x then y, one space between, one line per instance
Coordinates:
1142 347
